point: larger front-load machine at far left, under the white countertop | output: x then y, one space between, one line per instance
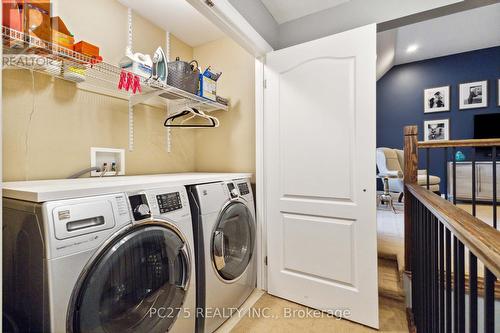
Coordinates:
122 262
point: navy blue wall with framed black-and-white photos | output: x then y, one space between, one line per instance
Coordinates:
400 100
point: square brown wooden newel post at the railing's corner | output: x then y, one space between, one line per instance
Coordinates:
410 177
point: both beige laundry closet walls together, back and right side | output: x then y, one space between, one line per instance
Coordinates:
49 125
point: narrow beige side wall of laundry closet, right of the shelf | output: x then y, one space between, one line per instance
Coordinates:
231 147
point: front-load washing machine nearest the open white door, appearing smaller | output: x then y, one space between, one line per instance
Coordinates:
225 231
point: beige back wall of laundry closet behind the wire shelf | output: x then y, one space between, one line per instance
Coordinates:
49 127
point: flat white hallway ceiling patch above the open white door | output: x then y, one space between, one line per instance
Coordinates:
288 10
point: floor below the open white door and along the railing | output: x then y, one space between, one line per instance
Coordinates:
391 306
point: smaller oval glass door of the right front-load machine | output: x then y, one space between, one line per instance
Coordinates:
233 241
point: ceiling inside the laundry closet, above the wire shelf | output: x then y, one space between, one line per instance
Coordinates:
179 18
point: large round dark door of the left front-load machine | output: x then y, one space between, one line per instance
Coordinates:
138 283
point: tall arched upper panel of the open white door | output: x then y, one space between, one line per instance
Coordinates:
306 142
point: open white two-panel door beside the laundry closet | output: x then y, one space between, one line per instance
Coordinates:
319 160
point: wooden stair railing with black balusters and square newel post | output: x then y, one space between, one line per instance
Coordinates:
437 237
